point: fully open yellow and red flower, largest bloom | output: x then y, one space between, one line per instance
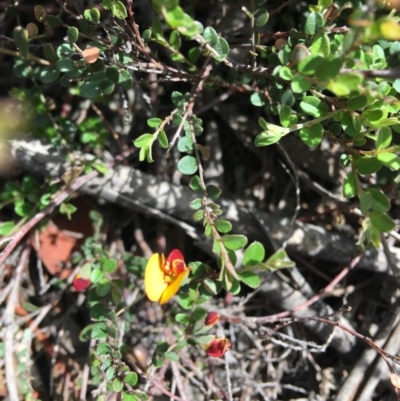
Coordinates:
163 277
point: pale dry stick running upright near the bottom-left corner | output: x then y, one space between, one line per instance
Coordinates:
9 324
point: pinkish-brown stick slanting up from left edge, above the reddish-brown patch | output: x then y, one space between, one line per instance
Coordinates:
47 211
